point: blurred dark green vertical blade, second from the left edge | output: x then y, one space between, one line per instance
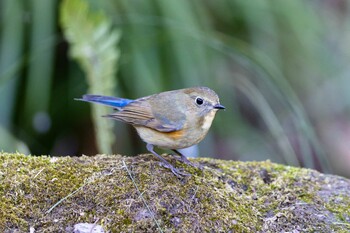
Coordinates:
40 65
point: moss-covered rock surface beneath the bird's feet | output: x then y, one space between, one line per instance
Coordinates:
52 194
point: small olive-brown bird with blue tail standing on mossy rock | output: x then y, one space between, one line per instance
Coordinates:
171 120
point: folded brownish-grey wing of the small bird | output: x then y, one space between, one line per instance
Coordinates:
140 112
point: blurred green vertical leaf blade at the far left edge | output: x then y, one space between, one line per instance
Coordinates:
11 48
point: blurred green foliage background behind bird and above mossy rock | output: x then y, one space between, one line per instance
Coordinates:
281 68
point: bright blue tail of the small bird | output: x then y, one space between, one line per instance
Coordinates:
106 100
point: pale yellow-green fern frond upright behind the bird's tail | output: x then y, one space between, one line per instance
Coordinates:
93 44
